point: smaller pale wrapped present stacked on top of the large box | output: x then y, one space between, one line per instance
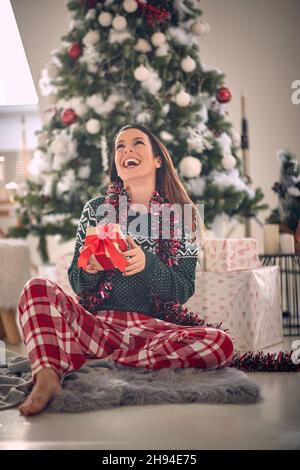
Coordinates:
230 254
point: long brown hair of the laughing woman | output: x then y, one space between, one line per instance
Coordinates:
167 179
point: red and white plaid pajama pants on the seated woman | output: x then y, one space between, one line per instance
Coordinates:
60 334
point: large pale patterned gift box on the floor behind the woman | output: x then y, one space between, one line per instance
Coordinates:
248 303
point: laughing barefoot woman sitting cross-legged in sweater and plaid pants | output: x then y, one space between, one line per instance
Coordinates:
136 317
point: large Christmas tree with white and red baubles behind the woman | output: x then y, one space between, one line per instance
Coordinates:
124 62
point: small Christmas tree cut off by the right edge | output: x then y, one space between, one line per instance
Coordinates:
287 214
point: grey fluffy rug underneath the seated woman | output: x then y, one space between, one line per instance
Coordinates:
103 384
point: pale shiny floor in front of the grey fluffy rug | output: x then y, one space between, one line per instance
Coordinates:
272 424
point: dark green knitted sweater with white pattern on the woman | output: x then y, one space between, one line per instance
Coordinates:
132 293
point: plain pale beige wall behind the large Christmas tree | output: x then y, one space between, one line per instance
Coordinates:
255 43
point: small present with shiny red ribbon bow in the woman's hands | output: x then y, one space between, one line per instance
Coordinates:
106 242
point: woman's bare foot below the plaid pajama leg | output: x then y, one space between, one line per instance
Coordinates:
46 387
